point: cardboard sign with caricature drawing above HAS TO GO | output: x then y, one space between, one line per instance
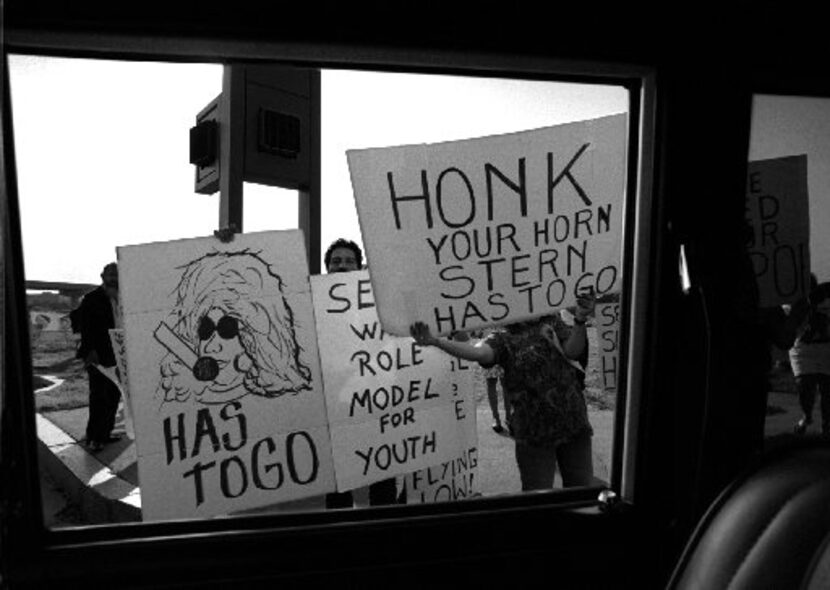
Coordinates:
224 374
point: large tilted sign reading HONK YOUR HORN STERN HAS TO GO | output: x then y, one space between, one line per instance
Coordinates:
487 231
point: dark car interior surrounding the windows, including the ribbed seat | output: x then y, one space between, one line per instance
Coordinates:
708 485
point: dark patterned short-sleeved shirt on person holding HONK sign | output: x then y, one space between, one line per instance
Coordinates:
545 390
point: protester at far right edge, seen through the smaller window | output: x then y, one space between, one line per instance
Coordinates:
810 360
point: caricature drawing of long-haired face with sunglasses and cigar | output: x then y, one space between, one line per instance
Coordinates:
231 333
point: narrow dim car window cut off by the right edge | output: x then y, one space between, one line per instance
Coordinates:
789 210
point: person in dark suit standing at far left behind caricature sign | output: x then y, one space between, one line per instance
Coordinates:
95 316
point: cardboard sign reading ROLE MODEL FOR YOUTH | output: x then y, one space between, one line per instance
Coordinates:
394 407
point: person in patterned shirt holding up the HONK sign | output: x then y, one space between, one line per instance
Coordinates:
544 364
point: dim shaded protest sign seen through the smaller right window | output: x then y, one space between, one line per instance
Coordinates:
777 209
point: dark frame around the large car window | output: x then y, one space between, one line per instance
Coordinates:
638 283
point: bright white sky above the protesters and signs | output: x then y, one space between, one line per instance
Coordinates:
102 148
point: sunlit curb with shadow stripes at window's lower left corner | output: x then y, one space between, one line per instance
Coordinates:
102 496
